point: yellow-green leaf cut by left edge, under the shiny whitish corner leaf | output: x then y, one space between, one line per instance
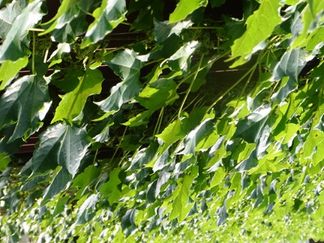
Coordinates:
9 69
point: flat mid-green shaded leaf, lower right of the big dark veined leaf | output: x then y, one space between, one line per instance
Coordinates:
110 189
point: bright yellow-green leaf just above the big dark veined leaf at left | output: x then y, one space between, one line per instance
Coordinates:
73 102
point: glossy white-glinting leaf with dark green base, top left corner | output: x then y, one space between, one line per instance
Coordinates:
13 46
